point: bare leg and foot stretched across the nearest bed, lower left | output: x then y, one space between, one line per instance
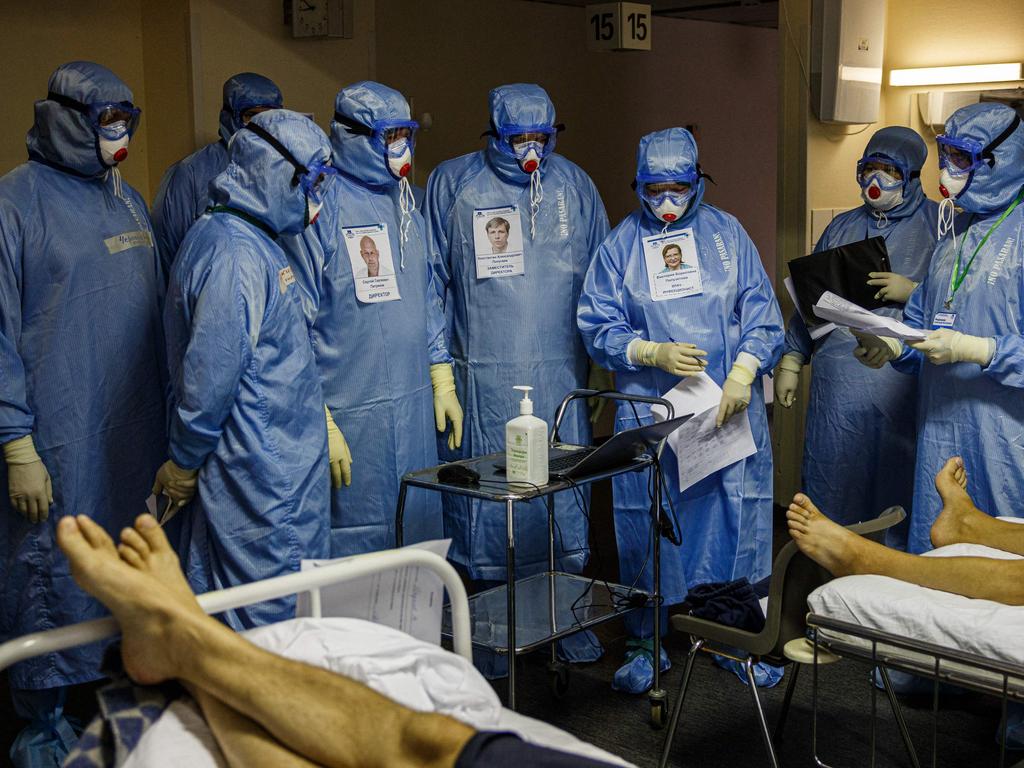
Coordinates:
323 717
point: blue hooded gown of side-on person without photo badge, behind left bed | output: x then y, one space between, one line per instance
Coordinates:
247 408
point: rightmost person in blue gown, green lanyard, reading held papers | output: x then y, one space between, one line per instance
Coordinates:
971 369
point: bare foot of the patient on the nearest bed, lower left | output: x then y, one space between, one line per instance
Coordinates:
155 618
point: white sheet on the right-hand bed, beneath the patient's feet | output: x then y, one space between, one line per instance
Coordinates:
985 628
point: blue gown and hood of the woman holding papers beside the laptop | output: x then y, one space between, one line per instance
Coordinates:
726 520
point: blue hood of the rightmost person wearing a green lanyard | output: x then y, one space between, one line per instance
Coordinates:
994 188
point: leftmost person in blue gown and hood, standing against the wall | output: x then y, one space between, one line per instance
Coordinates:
81 392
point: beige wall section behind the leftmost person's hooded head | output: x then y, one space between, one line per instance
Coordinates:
37 37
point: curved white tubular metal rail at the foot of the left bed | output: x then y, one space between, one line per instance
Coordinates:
312 582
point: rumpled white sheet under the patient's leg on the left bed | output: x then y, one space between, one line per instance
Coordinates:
417 674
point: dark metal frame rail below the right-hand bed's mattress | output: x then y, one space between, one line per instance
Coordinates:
995 677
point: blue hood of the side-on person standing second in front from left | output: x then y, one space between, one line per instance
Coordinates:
259 179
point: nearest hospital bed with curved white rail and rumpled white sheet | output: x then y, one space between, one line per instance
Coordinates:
181 738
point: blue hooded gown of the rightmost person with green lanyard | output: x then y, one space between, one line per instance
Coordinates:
964 410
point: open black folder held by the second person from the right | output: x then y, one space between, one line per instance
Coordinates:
844 272
